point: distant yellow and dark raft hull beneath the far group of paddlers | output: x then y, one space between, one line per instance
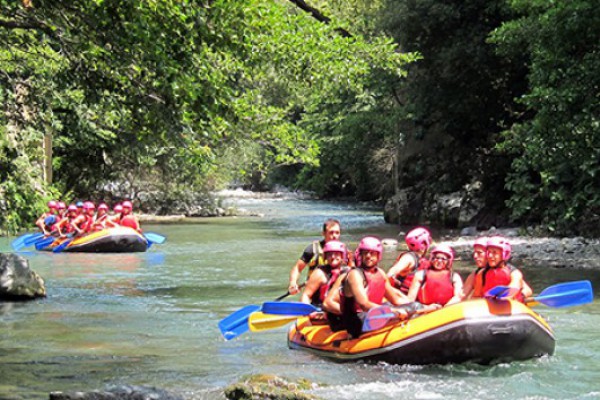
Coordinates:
110 240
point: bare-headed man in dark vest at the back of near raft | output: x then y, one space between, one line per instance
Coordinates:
313 254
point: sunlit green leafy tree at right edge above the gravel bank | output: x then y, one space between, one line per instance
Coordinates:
555 171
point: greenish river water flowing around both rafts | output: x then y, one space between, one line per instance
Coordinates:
150 319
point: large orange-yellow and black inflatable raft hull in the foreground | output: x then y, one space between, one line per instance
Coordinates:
480 331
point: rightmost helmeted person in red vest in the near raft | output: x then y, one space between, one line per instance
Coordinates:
499 272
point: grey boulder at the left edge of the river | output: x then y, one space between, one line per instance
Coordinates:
17 281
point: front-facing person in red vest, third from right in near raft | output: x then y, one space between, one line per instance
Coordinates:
438 285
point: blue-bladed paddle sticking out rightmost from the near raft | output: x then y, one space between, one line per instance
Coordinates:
560 295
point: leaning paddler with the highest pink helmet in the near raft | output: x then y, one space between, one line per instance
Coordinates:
402 272
